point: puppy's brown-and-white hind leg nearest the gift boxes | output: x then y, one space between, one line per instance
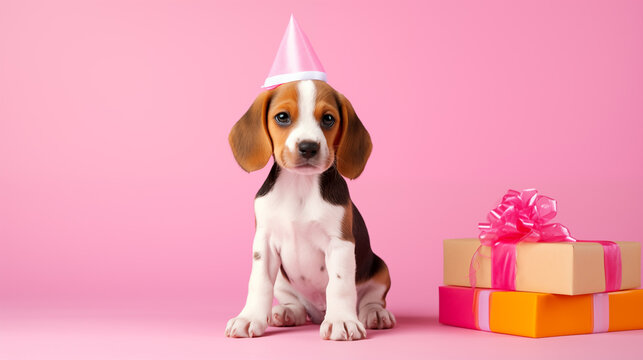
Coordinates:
371 294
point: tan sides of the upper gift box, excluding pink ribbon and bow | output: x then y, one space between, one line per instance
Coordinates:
569 268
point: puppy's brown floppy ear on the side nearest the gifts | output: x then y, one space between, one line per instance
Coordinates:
354 144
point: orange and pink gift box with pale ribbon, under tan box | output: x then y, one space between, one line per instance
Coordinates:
540 315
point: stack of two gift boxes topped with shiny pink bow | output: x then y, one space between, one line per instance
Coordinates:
525 276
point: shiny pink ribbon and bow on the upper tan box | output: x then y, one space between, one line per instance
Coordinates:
525 216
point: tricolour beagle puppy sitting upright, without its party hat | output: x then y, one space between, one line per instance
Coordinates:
311 249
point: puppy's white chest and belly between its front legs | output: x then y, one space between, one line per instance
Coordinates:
300 224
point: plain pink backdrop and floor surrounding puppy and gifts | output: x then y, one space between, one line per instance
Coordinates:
126 225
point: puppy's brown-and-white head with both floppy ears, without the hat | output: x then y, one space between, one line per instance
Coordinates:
307 126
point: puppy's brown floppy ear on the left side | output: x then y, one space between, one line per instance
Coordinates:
249 138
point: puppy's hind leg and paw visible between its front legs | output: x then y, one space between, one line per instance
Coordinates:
290 311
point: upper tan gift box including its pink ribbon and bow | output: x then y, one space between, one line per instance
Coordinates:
520 249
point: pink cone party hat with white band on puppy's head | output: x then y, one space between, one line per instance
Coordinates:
295 60
